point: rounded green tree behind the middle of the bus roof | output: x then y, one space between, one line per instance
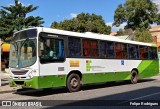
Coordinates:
84 23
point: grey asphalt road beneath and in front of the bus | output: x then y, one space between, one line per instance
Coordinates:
98 96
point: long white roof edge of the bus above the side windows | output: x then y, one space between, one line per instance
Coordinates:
90 35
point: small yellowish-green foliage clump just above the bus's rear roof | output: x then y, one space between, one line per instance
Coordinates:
143 35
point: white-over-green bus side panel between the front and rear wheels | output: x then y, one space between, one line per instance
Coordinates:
106 70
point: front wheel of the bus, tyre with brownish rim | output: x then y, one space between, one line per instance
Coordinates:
73 82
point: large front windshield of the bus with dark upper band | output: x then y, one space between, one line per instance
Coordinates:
23 49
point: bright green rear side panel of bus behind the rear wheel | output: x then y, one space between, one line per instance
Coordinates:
148 68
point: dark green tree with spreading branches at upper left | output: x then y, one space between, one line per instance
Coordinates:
13 18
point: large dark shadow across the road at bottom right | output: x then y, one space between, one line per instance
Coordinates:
146 98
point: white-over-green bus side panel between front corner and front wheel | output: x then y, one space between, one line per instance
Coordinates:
52 75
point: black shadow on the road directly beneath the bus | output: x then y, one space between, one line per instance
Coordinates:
51 91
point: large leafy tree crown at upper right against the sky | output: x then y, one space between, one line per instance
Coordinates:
137 14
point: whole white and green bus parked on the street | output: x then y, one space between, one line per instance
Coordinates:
47 58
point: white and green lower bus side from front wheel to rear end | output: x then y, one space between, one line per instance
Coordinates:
146 68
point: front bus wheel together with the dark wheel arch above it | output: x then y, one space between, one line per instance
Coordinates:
73 81
